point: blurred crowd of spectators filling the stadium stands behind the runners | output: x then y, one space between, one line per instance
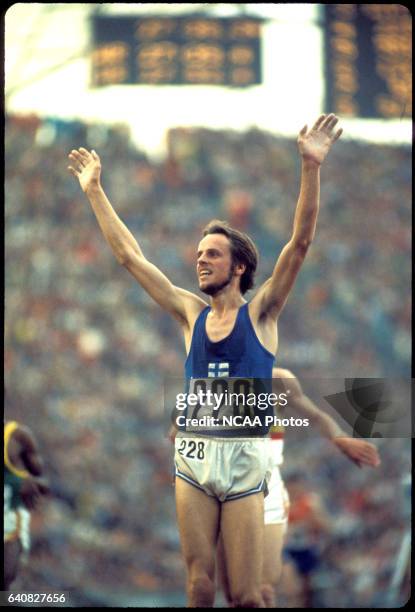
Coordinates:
86 350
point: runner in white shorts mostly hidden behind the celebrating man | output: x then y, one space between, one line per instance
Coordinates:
276 502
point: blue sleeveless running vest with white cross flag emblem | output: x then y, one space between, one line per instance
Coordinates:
236 364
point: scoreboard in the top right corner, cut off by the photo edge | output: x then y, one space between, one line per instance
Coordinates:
368 60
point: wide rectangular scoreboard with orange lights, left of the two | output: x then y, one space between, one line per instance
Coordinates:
187 50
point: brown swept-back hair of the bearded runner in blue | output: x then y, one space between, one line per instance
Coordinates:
243 250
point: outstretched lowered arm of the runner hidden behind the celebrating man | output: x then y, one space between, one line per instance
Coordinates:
359 451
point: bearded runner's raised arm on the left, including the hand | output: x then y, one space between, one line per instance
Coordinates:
183 305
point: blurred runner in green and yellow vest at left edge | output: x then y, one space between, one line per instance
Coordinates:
23 489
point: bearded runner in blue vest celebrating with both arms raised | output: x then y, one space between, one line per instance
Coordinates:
228 338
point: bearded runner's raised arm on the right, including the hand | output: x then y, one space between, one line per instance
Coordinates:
314 146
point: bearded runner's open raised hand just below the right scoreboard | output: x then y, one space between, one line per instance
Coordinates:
316 143
